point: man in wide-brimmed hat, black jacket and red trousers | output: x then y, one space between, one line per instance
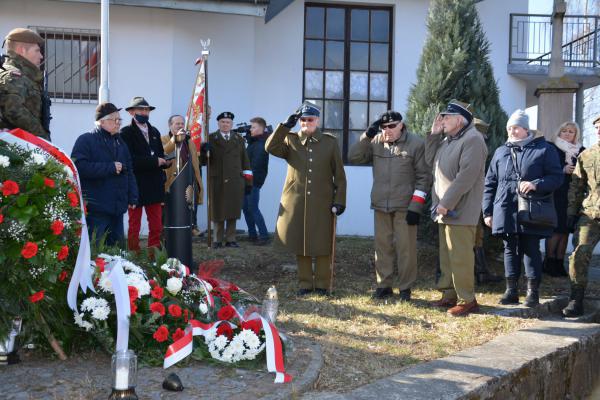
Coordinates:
149 162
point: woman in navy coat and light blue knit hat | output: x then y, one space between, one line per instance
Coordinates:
536 162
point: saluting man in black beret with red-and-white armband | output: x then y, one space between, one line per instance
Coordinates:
401 181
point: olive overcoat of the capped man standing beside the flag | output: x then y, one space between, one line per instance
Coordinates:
228 160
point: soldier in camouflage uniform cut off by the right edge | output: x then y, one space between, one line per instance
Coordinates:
584 203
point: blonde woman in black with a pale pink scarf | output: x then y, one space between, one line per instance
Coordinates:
566 142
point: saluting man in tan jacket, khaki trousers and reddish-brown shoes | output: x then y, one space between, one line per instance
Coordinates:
458 162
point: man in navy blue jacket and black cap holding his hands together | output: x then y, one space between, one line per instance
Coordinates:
104 165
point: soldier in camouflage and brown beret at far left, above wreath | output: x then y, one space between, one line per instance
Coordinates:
21 84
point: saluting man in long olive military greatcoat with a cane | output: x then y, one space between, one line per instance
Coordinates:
315 186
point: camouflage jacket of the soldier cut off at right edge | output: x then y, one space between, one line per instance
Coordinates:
584 192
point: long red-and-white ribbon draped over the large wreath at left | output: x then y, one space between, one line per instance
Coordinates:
82 275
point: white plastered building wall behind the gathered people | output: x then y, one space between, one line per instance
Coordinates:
254 69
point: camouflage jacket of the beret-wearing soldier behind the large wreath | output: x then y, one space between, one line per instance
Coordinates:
21 96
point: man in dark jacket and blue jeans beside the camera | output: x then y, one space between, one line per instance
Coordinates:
259 160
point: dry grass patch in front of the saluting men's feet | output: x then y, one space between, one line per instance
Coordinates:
363 340
